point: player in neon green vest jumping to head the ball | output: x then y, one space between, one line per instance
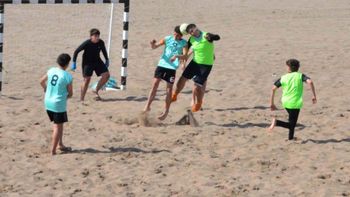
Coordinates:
200 66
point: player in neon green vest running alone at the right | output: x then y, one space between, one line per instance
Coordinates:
292 95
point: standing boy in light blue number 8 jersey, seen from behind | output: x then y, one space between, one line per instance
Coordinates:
57 85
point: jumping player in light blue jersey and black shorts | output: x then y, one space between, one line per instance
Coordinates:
173 52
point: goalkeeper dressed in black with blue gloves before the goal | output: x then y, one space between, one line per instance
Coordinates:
92 62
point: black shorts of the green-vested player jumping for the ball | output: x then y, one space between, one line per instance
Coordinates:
198 72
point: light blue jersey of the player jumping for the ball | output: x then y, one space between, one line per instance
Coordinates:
172 47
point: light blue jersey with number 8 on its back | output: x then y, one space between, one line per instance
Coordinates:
56 90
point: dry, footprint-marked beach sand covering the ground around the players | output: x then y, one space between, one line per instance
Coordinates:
230 153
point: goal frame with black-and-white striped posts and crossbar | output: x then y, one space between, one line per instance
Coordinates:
124 54
